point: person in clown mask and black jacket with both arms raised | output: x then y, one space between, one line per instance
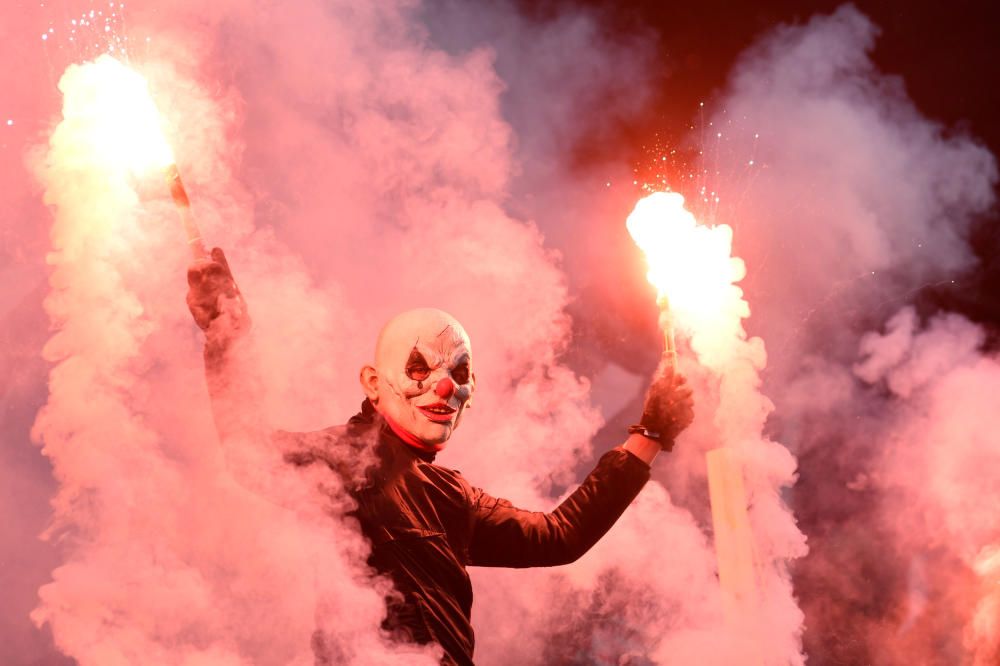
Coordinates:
426 523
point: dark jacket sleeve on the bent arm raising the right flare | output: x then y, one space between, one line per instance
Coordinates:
505 536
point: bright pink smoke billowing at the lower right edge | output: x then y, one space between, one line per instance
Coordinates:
939 465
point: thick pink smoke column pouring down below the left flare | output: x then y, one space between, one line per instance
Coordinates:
171 561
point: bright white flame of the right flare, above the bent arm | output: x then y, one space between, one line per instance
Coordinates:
691 265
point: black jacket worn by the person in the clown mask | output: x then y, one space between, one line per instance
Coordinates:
426 524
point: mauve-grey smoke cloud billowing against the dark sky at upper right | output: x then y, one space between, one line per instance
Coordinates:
853 197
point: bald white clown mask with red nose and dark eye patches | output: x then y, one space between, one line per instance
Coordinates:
422 378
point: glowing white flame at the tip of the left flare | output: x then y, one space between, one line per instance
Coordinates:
115 119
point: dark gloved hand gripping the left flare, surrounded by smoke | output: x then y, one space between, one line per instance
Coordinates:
214 299
